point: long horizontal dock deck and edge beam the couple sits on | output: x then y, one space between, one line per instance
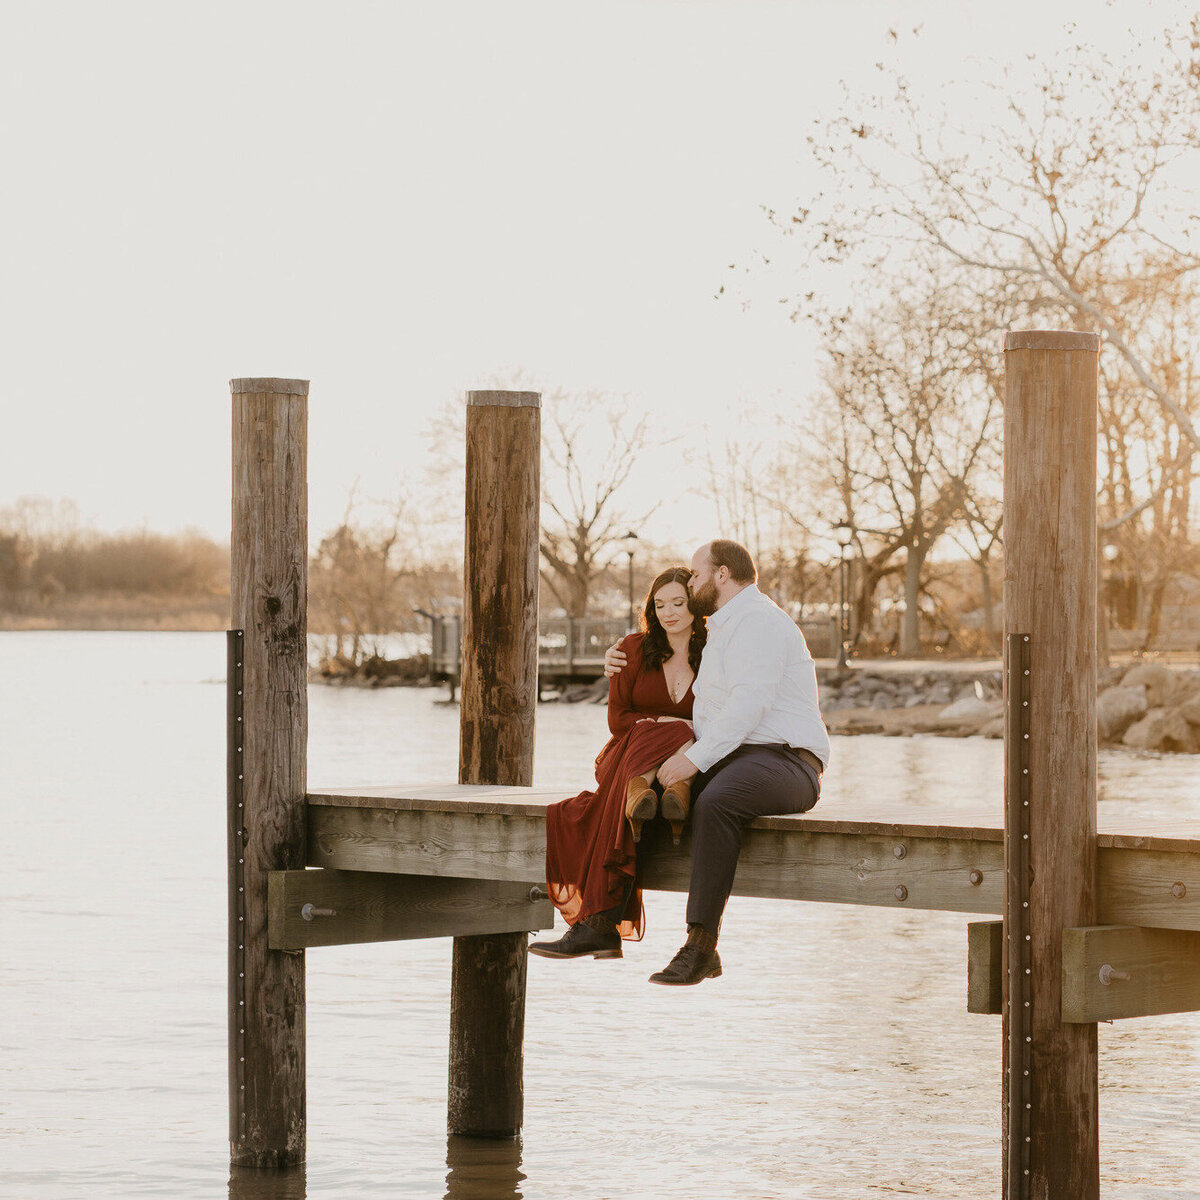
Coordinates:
501 835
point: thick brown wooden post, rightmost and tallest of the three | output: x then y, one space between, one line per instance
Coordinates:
1052 1127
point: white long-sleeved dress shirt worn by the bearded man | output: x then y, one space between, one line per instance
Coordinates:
758 683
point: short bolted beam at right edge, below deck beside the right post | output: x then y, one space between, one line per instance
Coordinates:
1117 971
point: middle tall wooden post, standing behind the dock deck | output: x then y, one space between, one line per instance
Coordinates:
500 691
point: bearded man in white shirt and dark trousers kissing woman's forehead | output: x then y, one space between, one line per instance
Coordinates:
760 747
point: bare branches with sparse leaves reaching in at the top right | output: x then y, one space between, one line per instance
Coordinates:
1078 188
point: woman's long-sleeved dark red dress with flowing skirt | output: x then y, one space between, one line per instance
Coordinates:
590 847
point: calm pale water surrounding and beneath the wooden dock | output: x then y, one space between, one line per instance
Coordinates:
833 1060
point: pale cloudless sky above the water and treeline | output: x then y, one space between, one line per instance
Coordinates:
399 201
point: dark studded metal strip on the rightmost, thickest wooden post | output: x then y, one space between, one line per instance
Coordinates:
1019 884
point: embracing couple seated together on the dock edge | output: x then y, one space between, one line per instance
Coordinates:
719 721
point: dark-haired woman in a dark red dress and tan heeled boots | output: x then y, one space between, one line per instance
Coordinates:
591 857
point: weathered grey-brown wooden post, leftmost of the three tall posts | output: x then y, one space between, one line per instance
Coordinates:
269 731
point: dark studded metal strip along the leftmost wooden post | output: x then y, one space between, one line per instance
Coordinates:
236 643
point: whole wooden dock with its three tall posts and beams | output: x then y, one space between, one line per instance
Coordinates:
1095 925
